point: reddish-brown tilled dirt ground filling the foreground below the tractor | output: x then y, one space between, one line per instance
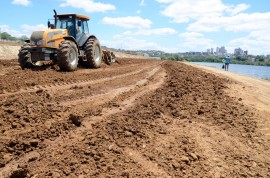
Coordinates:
134 118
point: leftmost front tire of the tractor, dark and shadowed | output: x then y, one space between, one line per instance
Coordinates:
24 57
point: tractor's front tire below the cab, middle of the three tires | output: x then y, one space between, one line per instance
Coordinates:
67 56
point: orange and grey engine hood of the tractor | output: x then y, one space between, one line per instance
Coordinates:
47 38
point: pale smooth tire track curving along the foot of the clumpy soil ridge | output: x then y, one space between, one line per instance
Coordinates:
142 87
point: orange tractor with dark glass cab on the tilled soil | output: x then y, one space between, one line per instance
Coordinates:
67 42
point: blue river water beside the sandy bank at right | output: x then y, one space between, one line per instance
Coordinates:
262 72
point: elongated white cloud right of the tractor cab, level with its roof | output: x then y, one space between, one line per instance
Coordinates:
128 22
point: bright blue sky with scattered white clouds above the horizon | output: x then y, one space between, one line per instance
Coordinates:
167 25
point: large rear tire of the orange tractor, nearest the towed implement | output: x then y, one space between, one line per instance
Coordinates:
93 53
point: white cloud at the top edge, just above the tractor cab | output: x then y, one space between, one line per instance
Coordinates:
88 5
